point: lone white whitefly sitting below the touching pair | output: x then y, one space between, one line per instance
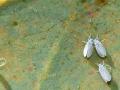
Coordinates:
104 73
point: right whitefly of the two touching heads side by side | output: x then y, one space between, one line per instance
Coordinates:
99 48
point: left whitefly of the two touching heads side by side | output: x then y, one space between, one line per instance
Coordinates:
88 49
